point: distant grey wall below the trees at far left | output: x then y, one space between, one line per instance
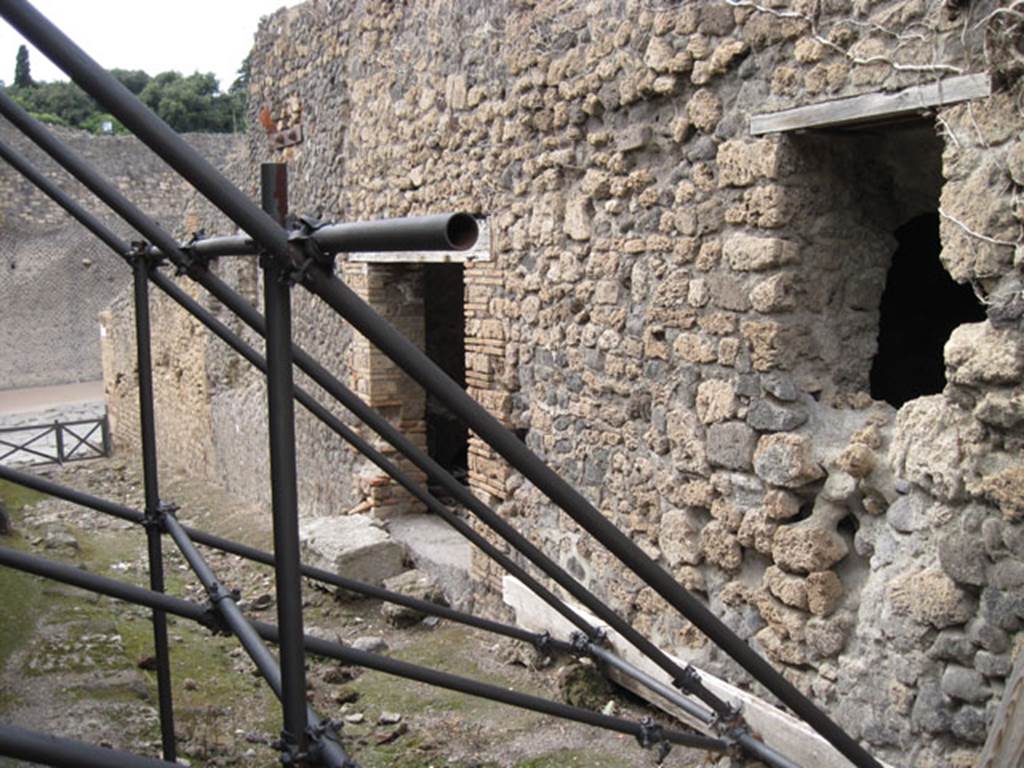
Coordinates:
52 263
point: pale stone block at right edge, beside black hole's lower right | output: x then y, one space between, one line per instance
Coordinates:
978 354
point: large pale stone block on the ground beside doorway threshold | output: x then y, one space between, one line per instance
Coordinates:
352 546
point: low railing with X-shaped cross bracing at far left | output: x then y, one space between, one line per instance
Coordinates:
57 442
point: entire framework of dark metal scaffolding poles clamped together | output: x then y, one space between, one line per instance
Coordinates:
305 258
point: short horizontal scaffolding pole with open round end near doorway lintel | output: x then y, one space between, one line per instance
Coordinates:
449 232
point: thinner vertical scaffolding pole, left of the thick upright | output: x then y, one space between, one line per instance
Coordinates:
153 508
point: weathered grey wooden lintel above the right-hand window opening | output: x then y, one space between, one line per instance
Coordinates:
875 108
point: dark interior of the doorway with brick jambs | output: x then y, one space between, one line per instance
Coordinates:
446 345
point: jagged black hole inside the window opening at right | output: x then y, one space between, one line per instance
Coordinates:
921 307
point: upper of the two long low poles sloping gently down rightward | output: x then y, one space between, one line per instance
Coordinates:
257 556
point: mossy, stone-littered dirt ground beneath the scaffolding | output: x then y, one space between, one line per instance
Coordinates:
74 664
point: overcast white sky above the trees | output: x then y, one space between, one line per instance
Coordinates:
152 35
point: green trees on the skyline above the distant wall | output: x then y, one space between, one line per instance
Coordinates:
192 103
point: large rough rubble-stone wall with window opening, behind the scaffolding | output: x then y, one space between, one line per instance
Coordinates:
682 318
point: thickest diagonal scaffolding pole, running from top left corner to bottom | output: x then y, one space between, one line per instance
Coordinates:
106 90
